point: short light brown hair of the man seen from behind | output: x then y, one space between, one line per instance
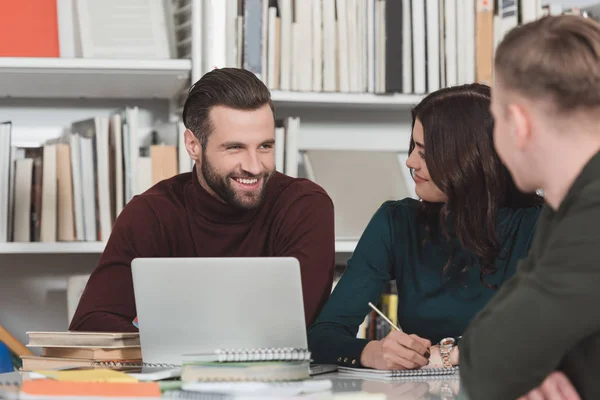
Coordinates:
555 58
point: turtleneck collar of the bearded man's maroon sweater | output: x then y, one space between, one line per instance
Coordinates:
201 203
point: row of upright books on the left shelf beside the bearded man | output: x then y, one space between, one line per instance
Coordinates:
73 187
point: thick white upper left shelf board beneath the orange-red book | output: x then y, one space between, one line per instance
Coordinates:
54 78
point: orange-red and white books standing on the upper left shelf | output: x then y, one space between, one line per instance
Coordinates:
144 29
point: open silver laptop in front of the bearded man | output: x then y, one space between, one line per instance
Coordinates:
199 305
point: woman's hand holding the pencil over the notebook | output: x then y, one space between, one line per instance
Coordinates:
396 351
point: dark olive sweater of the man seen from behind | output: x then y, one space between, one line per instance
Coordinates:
546 318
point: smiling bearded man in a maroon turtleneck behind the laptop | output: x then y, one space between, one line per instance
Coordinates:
233 204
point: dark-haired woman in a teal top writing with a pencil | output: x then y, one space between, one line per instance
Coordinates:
448 253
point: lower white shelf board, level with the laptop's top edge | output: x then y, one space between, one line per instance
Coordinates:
341 246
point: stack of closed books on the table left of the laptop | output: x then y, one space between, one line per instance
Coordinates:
61 350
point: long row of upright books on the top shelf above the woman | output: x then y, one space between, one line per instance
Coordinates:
373 46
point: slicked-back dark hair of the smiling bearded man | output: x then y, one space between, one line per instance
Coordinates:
230 87
